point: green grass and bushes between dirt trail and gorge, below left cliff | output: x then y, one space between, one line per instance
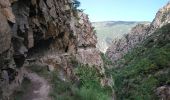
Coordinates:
87 87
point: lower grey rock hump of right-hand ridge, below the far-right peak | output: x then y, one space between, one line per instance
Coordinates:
127 42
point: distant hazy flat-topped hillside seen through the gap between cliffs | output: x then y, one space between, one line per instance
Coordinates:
110 30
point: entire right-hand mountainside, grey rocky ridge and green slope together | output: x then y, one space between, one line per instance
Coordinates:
141 61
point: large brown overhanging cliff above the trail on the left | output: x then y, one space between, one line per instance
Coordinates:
49 32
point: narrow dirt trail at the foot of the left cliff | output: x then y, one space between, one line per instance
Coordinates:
39 88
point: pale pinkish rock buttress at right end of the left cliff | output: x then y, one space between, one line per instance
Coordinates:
87 40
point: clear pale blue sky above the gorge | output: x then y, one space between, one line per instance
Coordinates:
121 10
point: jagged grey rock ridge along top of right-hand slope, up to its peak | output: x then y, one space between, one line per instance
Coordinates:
121 46
